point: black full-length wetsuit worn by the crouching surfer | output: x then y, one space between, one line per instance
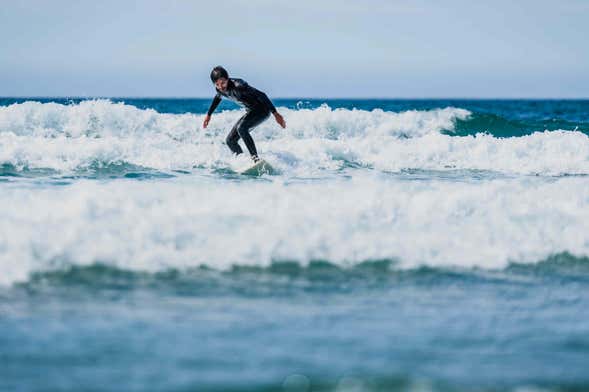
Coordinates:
258 108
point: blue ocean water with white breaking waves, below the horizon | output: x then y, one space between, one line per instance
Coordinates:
401 245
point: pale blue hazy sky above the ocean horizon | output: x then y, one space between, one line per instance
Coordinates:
296 48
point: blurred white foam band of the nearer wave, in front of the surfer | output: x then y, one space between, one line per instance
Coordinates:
187 221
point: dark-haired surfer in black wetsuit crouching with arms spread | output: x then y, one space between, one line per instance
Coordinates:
257 104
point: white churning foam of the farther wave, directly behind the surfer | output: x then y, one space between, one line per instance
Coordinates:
69 137
